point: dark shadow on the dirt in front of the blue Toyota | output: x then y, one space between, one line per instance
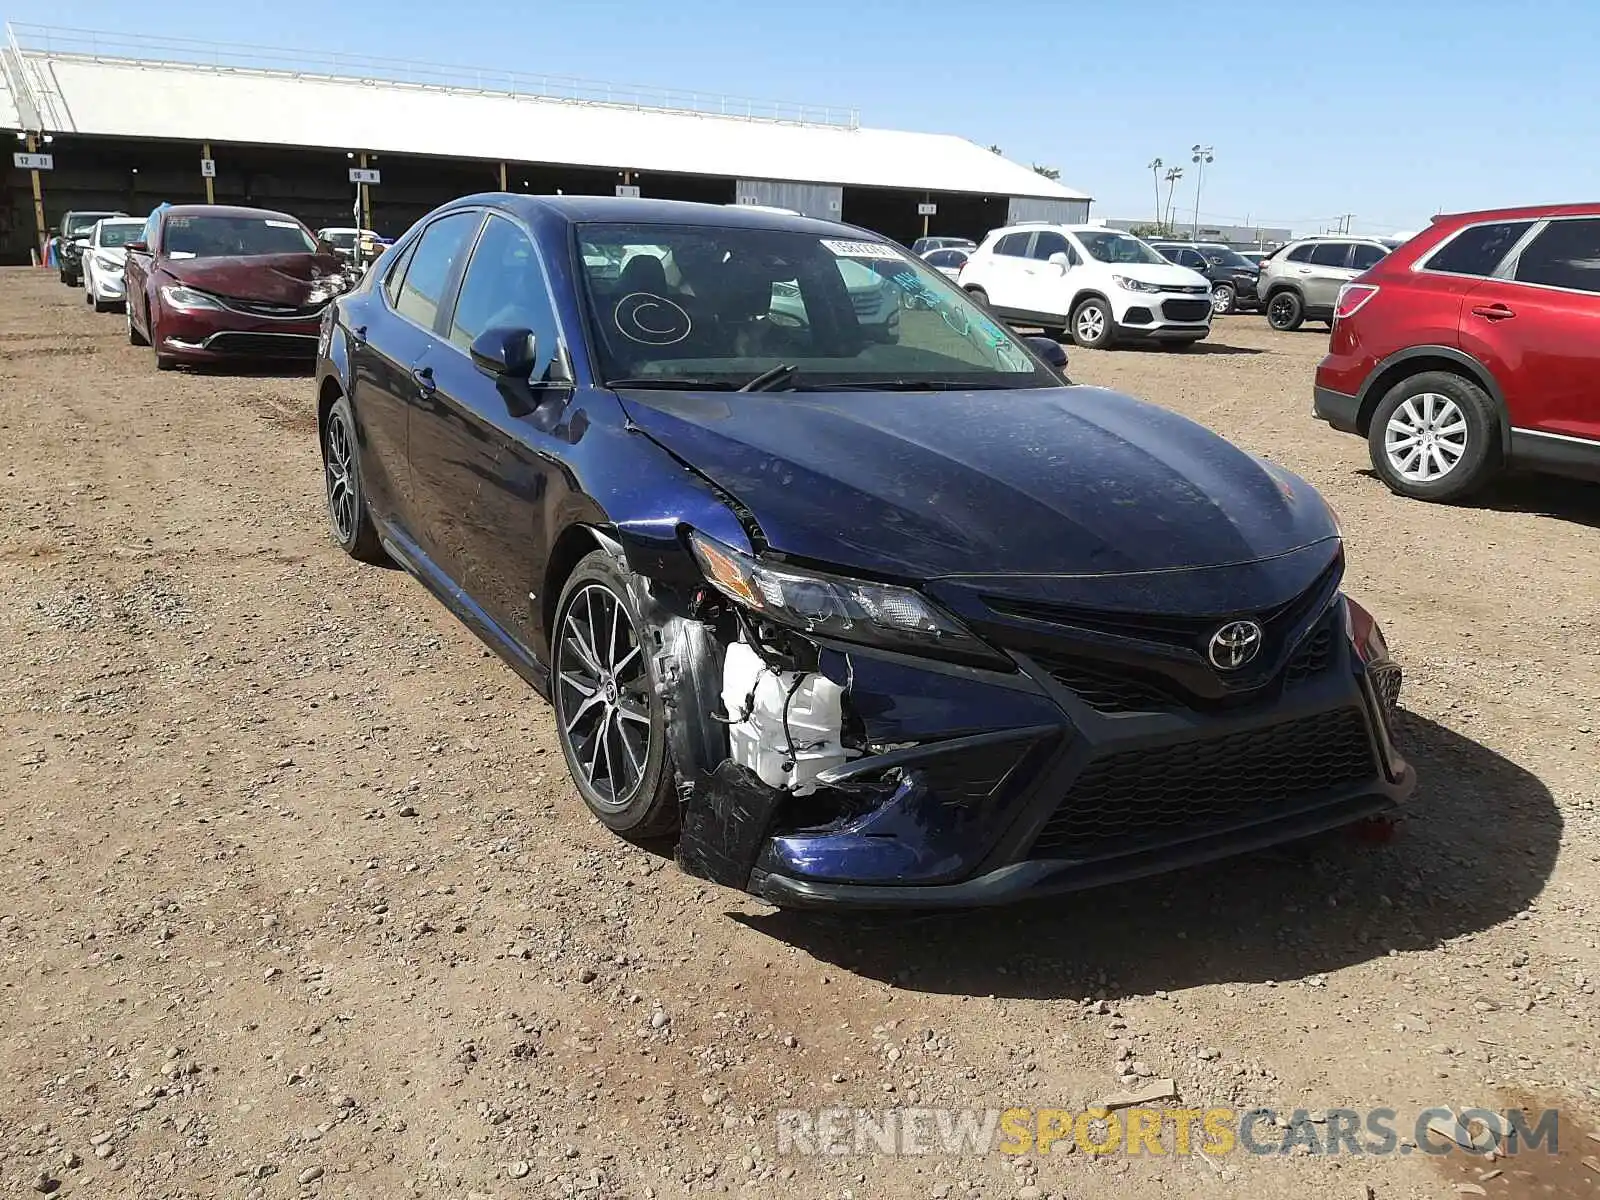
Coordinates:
1478 846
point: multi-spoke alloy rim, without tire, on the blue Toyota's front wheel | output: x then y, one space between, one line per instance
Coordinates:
602 689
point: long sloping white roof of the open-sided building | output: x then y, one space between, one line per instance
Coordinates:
226 105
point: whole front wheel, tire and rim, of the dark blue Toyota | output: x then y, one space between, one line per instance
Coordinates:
609 713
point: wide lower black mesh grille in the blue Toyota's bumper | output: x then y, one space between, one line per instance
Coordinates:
1153 796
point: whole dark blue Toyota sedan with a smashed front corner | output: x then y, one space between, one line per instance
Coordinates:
865 623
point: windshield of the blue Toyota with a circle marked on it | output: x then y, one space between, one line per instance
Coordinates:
721 306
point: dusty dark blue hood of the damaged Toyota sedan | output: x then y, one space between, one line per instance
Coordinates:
1076 481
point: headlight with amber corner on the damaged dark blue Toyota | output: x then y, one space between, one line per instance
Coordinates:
852 610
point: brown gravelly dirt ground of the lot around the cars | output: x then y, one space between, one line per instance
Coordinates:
295 898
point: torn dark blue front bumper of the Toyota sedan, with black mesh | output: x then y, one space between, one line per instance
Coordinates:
1073 775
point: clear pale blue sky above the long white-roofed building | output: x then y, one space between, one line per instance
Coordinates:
1388 111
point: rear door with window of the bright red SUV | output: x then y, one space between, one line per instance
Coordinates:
1537 327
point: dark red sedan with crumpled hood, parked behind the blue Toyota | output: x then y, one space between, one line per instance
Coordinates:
215 282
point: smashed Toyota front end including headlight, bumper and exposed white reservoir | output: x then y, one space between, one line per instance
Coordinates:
850 743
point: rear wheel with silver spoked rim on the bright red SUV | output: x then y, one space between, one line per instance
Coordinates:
1436 438
